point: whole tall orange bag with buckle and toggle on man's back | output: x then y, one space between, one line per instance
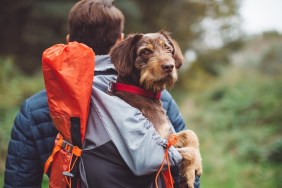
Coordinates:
68 72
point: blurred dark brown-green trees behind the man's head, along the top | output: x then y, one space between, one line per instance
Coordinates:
31 26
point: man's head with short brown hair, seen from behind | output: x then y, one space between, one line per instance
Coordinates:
96 23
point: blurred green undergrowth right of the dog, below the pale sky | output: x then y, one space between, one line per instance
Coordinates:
237 114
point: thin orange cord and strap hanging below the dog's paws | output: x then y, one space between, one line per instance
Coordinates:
166 174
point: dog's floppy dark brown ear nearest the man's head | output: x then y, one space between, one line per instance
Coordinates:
123 54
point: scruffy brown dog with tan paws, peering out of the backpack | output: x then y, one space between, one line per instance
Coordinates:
150 62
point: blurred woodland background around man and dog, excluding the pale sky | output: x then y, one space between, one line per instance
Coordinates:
229 90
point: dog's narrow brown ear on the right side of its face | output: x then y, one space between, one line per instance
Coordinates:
177 54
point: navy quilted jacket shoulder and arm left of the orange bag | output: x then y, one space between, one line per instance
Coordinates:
32 140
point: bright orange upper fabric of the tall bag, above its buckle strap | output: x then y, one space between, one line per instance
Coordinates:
68 72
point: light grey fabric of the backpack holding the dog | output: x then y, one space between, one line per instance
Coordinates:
112 120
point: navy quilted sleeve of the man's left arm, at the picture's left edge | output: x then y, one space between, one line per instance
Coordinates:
23 168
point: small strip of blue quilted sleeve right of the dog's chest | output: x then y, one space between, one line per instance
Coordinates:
172 111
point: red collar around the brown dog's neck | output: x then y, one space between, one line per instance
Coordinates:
133 89
